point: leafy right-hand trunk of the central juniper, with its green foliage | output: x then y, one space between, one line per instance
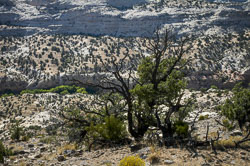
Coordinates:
160 89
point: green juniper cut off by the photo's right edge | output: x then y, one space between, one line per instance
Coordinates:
237 108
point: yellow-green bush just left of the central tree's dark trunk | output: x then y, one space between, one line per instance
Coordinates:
112 129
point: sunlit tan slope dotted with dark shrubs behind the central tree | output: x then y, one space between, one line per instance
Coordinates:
44 61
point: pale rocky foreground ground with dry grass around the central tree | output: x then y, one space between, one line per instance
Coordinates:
47 142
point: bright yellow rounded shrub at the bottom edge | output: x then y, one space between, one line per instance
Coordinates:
132 161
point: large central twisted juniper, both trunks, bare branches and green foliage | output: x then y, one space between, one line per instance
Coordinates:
147 83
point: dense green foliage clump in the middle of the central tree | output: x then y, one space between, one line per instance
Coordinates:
159 90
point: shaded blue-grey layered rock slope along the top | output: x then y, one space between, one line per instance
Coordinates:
122 18
